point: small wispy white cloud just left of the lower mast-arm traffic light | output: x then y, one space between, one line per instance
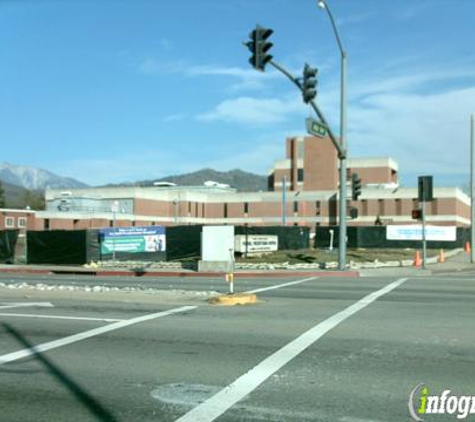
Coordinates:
254 111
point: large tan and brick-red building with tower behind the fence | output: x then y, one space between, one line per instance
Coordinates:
310 176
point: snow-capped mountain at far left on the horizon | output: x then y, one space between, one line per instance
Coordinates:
34 178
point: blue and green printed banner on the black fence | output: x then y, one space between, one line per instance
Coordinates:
133 239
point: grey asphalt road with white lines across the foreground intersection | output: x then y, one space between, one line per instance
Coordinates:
132 357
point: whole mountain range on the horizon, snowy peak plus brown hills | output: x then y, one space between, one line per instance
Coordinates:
24 186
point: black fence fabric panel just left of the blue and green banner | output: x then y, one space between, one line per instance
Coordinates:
61 247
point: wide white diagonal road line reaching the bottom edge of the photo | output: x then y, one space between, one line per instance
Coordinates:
216 405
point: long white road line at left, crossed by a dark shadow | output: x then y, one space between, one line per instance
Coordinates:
10 357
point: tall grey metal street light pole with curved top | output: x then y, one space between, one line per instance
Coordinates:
323 4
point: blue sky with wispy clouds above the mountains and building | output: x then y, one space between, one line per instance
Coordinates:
122 90
